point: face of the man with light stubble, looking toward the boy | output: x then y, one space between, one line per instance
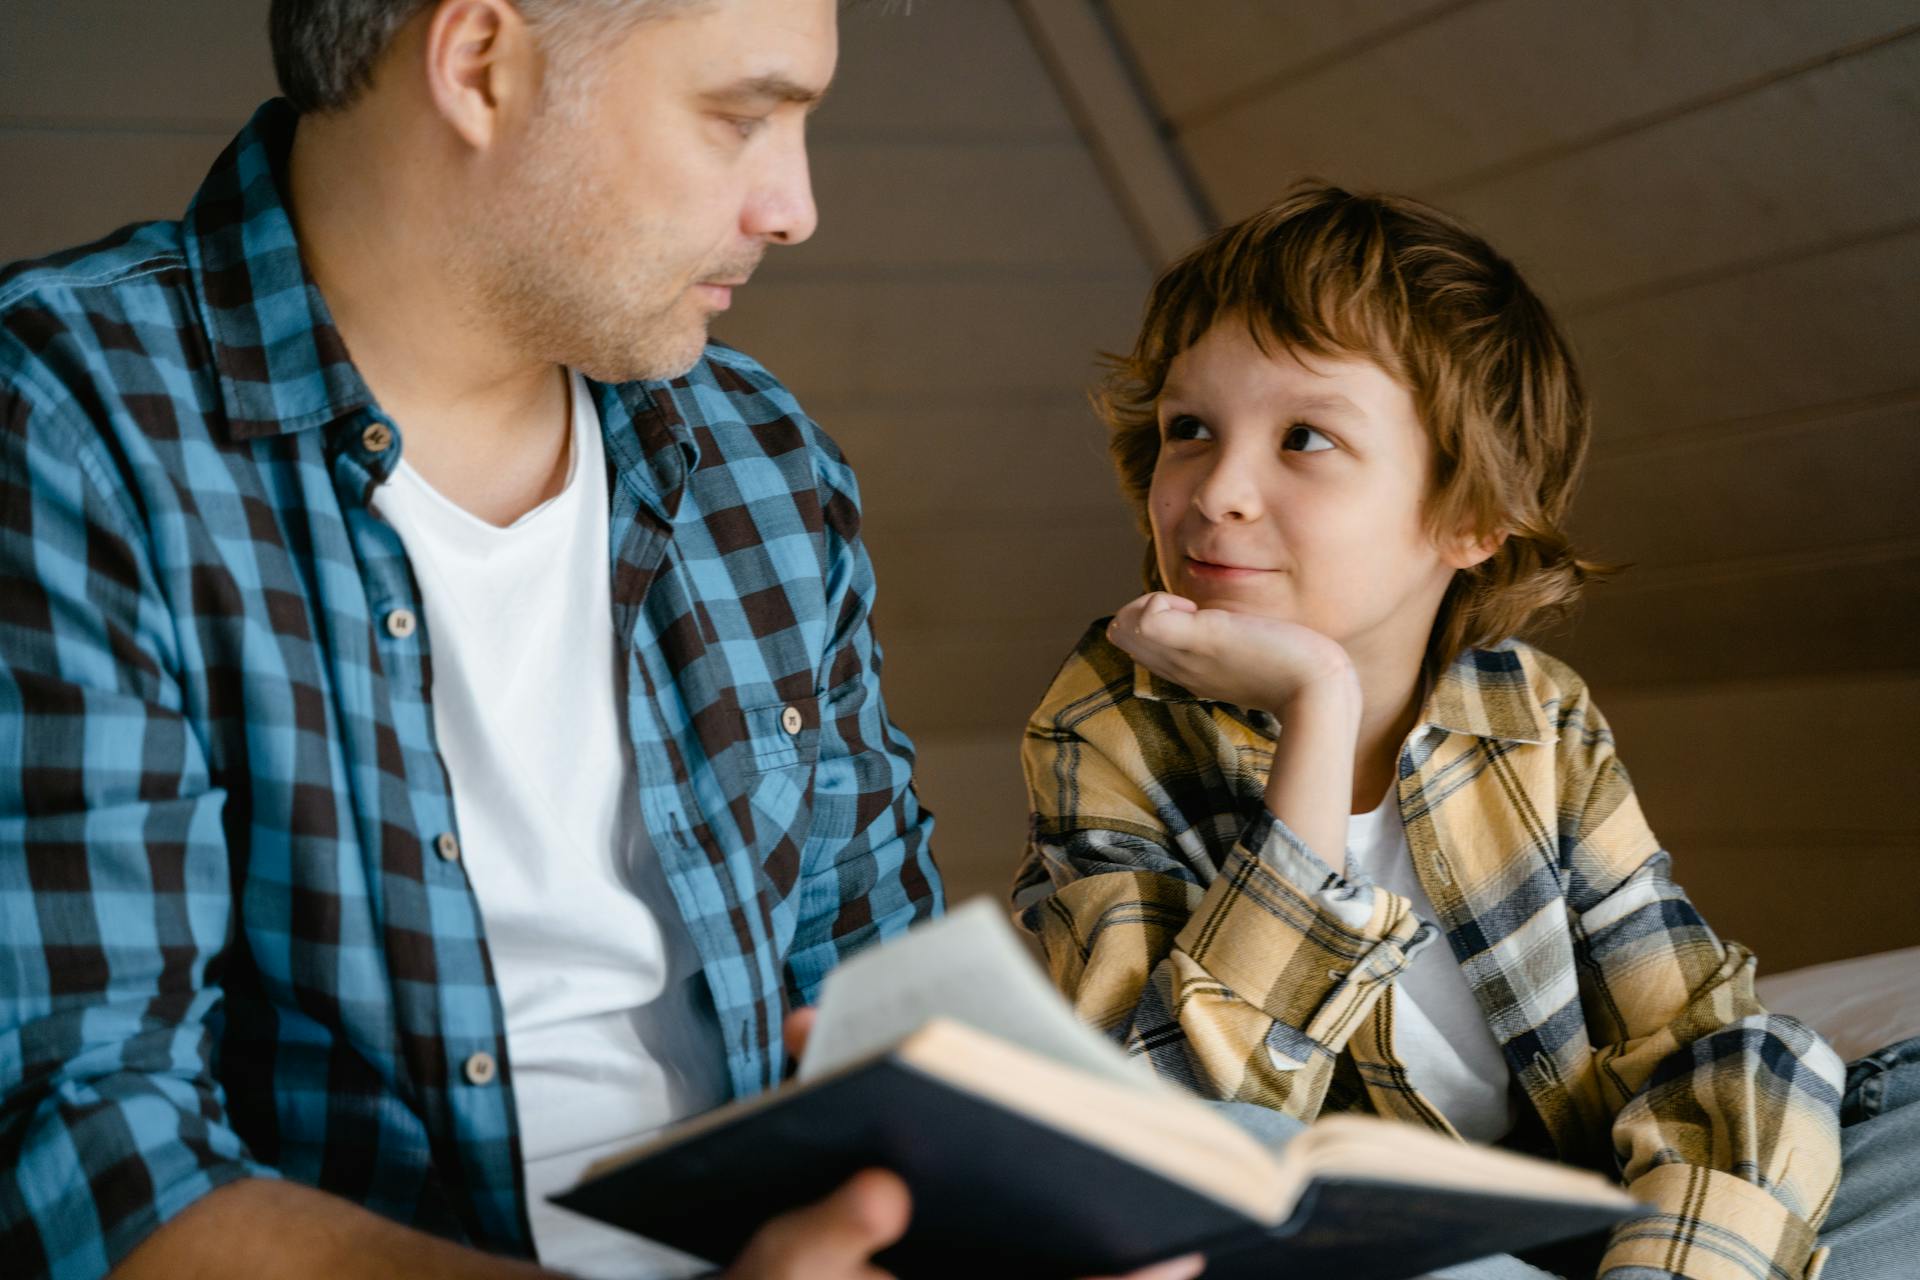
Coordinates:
636 201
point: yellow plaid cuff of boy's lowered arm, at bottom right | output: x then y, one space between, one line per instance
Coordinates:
1710 1225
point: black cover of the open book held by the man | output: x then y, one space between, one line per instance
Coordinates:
1001 1195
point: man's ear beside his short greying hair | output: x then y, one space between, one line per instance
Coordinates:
481 66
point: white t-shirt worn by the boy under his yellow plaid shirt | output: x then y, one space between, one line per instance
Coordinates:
1439 1031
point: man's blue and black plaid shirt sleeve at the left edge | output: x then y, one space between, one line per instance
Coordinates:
114 876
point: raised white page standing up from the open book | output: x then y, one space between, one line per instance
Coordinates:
971 968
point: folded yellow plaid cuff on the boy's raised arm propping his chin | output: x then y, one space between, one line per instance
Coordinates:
1289 936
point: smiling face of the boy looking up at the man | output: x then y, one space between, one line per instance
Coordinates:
1295 490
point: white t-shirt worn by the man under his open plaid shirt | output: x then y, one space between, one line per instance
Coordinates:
610 1026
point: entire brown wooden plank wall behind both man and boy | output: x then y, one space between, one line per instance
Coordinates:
1719 197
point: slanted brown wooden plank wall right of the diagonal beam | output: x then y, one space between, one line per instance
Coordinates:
1723 202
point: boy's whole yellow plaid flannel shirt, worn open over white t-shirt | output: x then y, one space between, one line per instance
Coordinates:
1186 920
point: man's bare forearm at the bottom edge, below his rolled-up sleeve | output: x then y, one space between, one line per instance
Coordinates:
260 1227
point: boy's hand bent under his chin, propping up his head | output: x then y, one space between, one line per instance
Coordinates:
1241 659
